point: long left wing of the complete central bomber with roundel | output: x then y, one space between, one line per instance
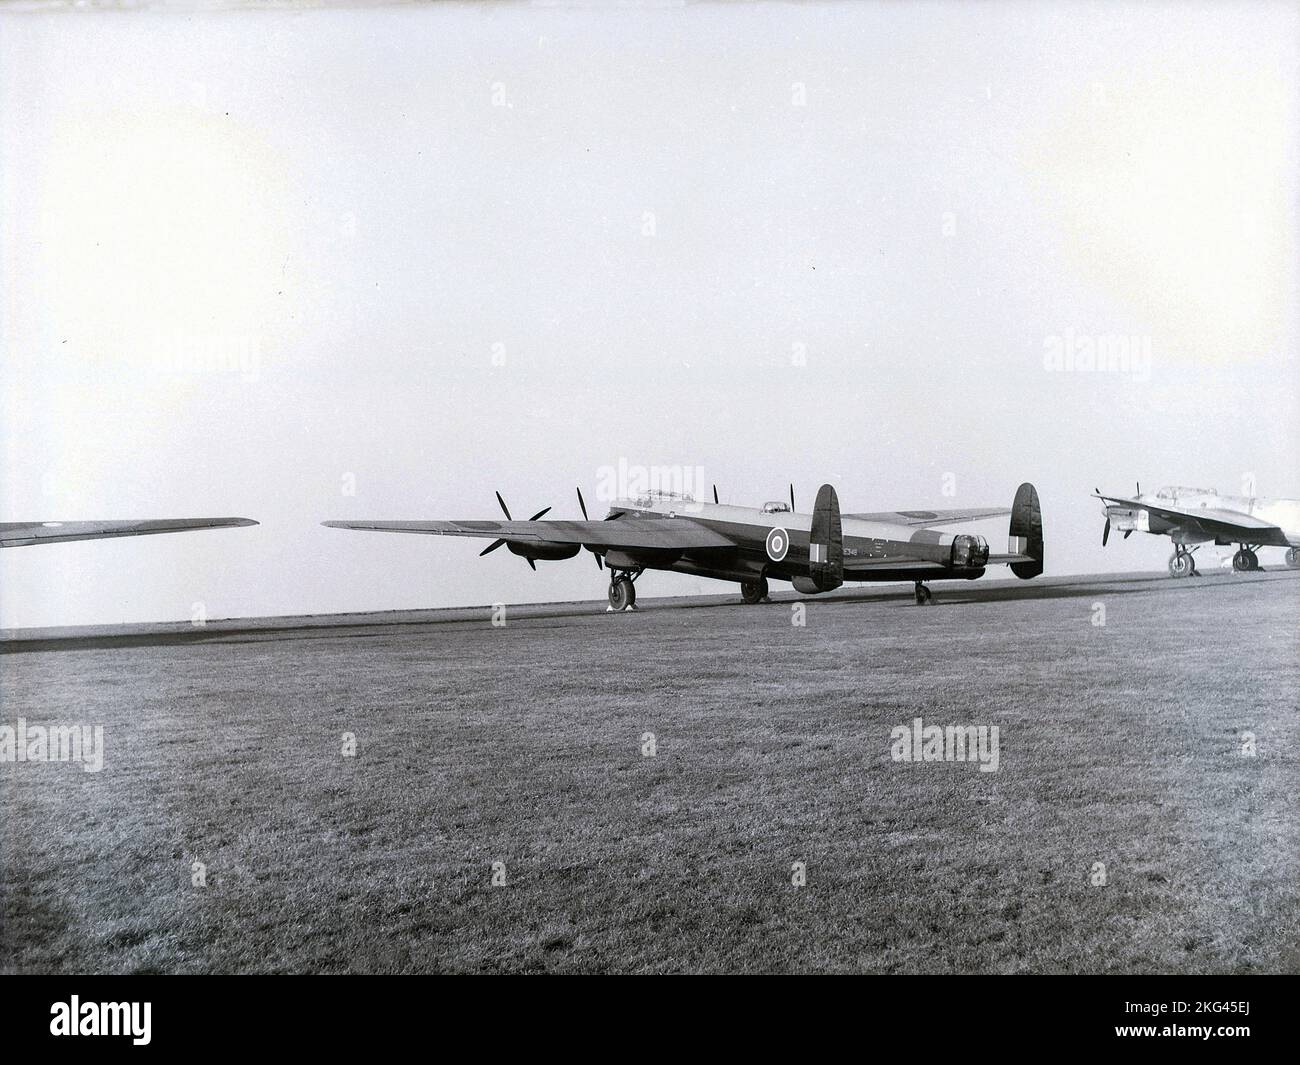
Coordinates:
622 532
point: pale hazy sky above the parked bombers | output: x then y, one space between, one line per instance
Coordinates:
254 262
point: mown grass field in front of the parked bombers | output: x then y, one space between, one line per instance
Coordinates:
1121 744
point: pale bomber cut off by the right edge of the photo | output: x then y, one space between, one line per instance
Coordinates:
1201 516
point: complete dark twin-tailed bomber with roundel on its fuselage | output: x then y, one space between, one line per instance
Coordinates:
752 546
